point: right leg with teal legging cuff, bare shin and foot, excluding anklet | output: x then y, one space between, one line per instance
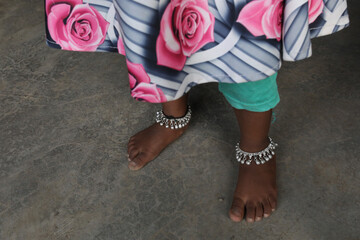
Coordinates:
256 192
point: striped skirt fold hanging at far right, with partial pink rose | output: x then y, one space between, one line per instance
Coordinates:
307 19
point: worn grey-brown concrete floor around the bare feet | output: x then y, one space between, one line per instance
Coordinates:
66 117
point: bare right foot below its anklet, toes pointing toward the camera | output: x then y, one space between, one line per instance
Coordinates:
255 195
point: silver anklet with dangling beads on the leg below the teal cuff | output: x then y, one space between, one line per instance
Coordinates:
259 157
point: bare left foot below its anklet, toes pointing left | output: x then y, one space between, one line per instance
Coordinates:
147 144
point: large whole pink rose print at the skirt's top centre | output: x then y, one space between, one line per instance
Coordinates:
186 26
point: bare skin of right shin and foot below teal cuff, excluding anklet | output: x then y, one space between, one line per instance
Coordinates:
255 195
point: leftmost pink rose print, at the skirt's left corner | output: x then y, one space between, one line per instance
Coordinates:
75 26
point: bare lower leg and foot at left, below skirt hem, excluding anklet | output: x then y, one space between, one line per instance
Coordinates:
147 144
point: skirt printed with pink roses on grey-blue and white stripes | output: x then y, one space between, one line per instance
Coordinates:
172 45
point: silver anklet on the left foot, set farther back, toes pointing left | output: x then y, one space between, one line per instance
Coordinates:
173 122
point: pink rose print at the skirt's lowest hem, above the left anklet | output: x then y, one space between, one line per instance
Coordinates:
141 87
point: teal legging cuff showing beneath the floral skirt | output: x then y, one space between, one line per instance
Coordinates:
257 96
